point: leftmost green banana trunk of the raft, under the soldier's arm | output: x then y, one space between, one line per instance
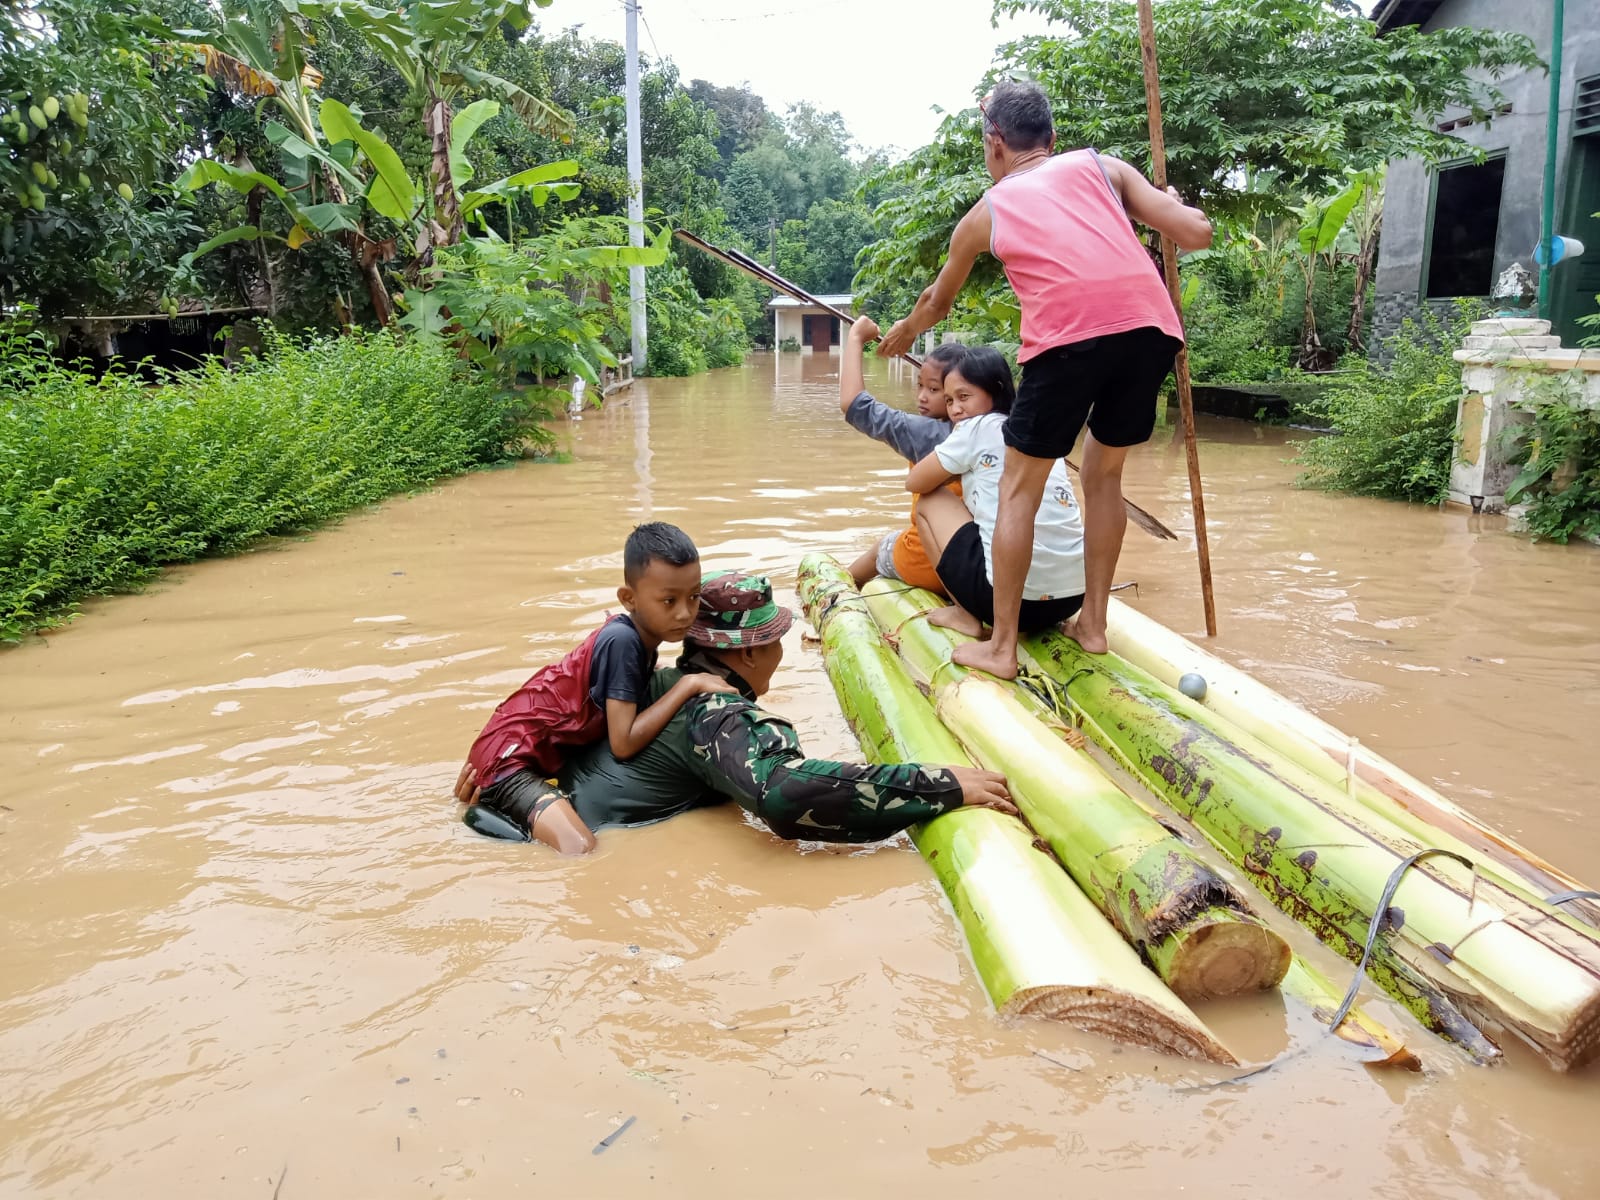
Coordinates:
1036 940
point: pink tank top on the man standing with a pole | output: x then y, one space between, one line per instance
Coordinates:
1073 258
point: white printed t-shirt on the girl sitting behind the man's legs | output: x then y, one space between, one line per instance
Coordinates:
975 450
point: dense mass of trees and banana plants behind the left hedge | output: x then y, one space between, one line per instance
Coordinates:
190 156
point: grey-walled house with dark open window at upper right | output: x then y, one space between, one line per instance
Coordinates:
1454 230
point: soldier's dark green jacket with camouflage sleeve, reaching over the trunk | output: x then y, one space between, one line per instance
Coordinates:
727 748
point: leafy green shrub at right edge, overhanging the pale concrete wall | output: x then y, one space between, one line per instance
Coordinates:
1561 465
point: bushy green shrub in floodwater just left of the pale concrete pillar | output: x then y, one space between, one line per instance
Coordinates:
1394 428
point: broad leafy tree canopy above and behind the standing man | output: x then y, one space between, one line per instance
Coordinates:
1297 92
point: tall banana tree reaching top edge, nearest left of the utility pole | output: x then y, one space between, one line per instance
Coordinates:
431 46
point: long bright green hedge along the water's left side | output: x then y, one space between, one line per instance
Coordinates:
105 481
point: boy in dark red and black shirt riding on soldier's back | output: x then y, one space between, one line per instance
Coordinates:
602 689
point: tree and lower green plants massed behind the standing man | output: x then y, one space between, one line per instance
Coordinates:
1274 111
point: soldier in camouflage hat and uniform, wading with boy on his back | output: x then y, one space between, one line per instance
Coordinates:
726 748
